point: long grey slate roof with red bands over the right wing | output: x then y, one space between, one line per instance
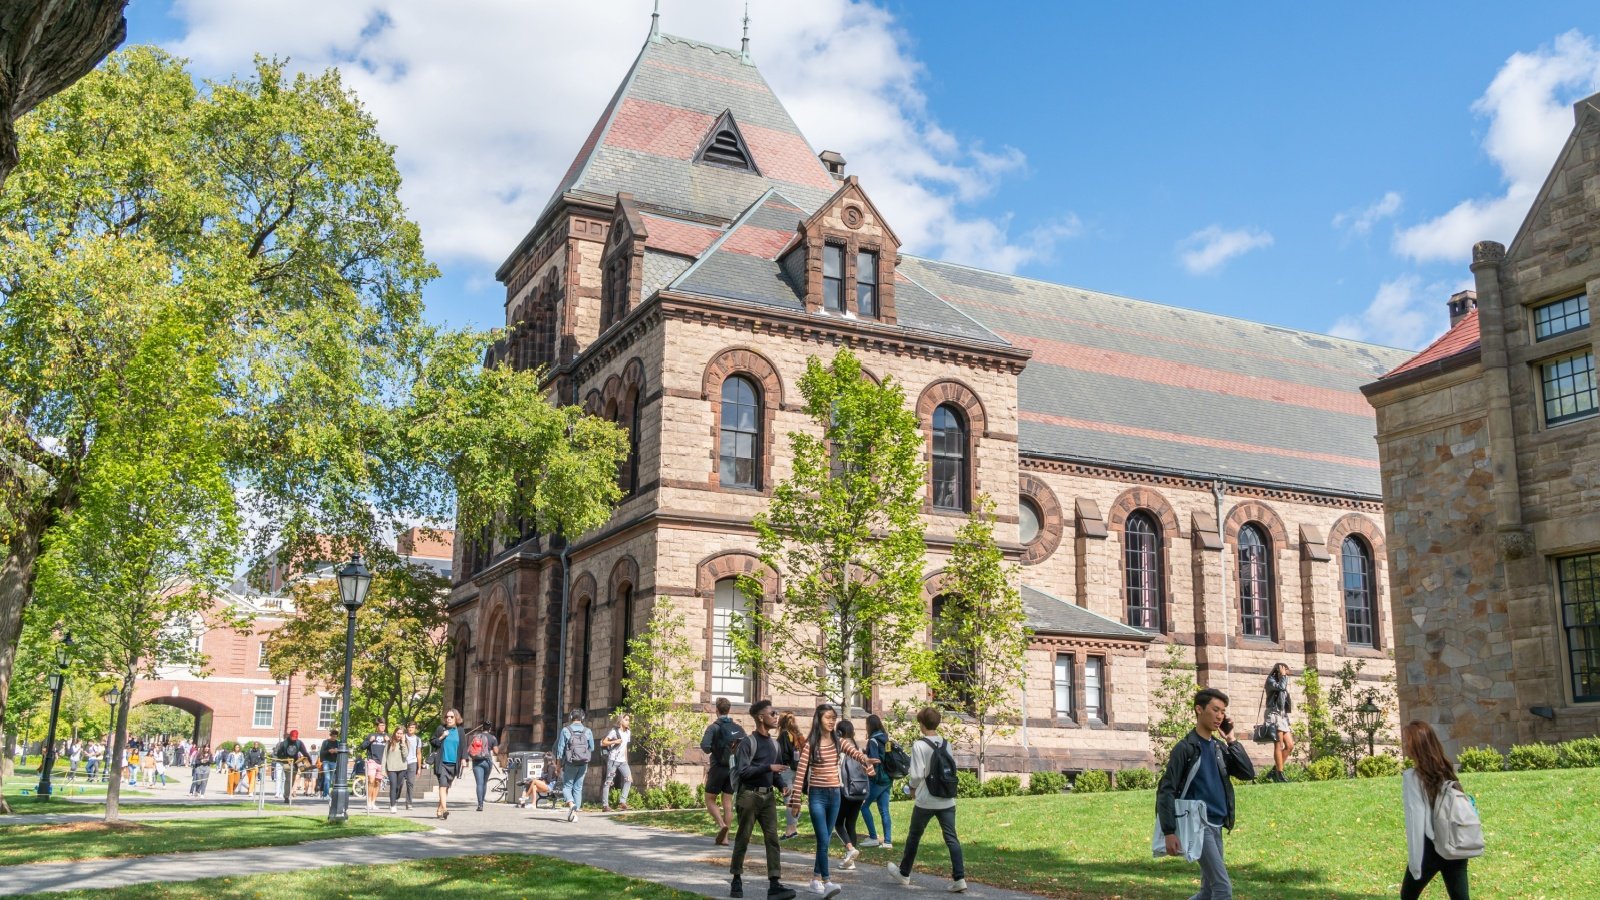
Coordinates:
1127 382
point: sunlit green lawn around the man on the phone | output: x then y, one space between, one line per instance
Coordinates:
1332 840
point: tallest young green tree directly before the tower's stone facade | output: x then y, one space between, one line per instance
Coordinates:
846 537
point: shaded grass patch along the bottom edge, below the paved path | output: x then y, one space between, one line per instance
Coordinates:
474 878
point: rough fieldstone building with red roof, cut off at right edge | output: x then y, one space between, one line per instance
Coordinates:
1490 448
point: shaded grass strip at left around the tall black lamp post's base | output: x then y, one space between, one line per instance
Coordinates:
95 840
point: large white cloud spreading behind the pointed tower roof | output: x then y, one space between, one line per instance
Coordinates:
489 102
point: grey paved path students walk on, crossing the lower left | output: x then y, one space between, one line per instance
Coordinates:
681 861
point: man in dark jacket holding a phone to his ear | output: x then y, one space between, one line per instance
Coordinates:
1214 755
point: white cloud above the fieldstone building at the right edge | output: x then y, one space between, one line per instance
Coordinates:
1529 106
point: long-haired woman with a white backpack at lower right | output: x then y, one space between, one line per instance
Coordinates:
1422 787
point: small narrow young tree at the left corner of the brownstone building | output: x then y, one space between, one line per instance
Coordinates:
658 675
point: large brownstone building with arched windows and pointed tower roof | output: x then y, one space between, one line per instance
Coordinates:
1162 475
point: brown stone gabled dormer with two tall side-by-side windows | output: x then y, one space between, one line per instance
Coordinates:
846 259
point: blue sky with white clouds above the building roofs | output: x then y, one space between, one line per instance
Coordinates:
1318 167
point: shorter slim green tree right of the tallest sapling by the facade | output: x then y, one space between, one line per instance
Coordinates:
980 640
